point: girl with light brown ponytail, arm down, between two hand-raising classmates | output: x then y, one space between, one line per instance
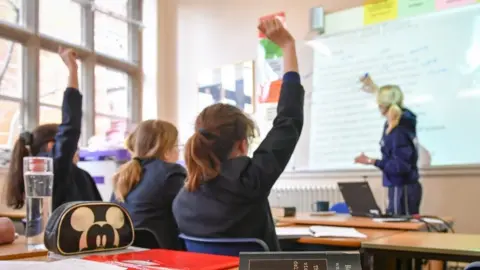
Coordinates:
147 184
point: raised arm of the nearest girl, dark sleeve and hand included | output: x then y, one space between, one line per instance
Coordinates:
275 151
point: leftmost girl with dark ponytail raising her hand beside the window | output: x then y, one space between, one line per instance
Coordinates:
57 141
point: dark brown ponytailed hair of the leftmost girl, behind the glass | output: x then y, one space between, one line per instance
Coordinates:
28 144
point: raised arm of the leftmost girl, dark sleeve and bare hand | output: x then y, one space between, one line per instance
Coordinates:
66 139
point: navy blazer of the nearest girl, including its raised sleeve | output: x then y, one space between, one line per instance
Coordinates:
235 203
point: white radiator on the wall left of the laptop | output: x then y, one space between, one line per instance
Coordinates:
302 197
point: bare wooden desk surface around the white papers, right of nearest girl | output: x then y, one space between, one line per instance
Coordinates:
348 242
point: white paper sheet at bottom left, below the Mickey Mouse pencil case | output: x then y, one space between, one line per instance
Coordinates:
74 264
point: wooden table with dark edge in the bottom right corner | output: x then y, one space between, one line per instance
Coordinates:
423 245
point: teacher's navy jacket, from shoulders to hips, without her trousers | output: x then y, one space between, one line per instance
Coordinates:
400 153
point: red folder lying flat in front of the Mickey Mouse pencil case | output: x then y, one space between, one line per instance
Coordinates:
161 259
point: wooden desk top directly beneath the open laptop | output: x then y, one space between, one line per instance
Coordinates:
343 220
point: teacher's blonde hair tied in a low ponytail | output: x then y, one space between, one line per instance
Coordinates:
391 97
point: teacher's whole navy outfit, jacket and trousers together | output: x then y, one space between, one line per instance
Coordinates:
399 166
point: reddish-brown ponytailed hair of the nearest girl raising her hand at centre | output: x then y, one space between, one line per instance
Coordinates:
217 129
